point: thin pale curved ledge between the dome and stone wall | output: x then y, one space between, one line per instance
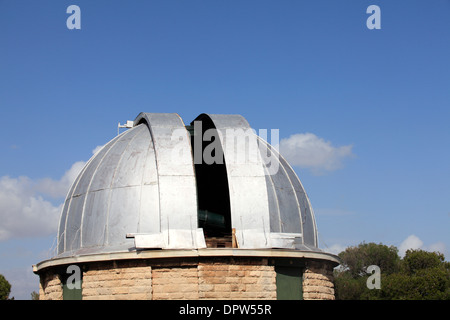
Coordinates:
212 252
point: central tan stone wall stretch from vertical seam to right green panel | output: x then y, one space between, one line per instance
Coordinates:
215 279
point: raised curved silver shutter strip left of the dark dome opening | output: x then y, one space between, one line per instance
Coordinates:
176 177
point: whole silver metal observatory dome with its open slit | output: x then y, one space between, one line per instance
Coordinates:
145 189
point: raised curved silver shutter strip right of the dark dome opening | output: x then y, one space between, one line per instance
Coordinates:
246 179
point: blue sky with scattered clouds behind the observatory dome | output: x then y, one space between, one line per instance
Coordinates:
372 106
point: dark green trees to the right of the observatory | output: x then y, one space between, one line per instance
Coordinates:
420 275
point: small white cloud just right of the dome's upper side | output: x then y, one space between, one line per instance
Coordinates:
310 151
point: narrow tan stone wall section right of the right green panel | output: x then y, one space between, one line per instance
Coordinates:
318 282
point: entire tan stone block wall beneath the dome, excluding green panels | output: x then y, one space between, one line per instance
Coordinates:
212 278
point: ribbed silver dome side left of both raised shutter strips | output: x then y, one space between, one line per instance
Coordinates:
121 164
